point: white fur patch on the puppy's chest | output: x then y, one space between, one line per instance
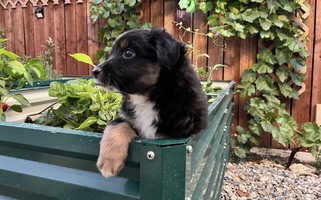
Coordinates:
145 116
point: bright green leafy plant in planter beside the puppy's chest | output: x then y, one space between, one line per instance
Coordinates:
83 106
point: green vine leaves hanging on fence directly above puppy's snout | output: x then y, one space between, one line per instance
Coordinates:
121 16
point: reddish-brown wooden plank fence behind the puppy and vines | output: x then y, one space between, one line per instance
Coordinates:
68 23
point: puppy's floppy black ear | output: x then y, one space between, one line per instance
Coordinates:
168 49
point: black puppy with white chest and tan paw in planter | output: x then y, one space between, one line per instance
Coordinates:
162 96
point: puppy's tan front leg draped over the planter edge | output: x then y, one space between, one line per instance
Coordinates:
114 148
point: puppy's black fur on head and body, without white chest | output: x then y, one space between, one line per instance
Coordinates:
160 72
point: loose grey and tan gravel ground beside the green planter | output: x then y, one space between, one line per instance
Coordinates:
265 178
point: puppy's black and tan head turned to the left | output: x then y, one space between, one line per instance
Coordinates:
136 60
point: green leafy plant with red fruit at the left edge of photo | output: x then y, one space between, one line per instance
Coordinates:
13 71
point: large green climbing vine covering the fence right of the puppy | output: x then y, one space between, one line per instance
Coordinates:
271 21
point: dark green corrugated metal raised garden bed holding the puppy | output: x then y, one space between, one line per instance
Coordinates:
39 162
